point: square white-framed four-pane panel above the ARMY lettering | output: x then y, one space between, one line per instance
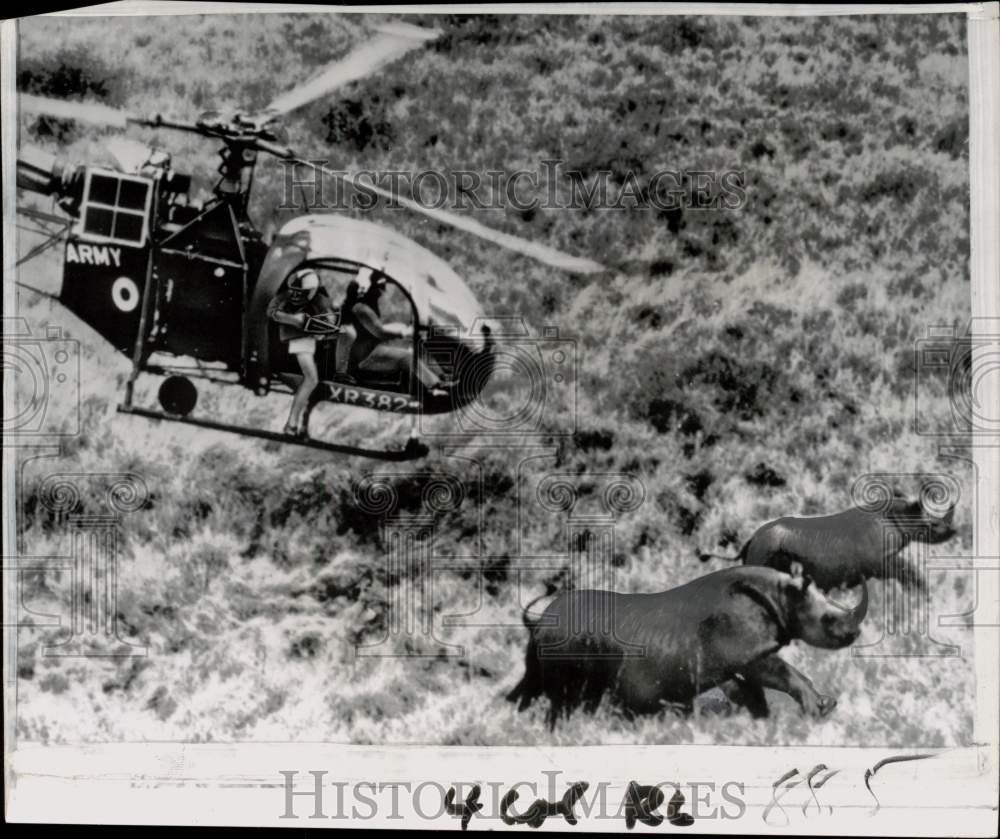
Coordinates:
115 208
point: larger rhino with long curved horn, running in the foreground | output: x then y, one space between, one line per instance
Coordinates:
651 651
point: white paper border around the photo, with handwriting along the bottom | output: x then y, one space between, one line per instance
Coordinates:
948 792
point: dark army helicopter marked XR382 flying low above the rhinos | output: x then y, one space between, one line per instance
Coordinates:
182 288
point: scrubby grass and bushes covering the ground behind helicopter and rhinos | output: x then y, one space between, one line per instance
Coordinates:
738 365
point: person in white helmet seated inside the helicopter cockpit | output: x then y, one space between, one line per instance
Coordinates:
369 354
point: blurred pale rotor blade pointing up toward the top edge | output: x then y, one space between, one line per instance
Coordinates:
393 41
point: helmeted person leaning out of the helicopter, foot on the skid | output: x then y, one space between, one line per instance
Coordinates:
303 298
